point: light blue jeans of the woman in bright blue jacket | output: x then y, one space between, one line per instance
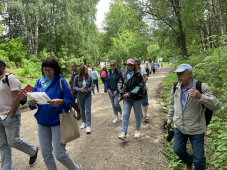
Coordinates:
47 135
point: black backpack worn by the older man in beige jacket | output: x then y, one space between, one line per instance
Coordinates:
208 112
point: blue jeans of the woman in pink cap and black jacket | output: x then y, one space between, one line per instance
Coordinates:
127 106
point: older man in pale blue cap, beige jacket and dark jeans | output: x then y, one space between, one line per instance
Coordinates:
188 115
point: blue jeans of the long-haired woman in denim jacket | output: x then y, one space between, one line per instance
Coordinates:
84 101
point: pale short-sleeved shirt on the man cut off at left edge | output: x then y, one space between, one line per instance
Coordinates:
6 97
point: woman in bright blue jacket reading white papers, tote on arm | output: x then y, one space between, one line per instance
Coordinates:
47 115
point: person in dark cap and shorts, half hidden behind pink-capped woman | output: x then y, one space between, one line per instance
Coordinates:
145 97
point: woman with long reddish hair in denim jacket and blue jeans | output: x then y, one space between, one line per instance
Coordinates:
83 84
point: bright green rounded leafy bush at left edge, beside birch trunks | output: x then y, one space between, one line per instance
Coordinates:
14 50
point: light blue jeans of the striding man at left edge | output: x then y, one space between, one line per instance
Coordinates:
10 137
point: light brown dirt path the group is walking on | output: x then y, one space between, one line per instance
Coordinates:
102 150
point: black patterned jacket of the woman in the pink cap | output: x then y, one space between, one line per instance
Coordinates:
128 85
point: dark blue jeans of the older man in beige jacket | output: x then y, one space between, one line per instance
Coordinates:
197 142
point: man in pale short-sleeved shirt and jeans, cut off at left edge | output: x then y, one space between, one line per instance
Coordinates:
10 120
